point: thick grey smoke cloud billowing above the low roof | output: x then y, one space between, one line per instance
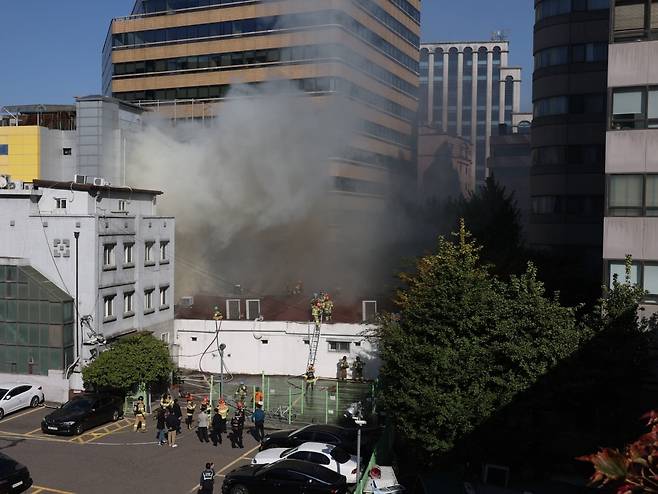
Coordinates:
249 192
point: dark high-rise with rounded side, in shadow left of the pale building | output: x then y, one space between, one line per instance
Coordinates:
568 130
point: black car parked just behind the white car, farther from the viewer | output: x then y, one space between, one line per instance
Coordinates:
319 433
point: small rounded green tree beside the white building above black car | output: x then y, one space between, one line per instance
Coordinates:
131 360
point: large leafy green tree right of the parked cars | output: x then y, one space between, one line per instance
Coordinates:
464 344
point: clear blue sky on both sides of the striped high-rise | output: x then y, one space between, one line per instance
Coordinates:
51 49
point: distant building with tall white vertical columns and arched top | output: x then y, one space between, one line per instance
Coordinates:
467 89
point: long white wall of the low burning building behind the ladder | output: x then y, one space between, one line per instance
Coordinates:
285 352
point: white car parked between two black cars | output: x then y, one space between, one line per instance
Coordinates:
327 455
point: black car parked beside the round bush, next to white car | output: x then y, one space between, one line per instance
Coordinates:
83 412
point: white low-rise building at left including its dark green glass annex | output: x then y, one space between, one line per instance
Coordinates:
105 246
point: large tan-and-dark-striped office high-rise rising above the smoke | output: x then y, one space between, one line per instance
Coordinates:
181 57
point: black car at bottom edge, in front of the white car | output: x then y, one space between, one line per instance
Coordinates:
284 477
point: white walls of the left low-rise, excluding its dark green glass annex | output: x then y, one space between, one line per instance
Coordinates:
104 246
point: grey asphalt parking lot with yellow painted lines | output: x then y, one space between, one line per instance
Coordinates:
114 459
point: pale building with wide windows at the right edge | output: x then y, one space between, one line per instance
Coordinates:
631 164
